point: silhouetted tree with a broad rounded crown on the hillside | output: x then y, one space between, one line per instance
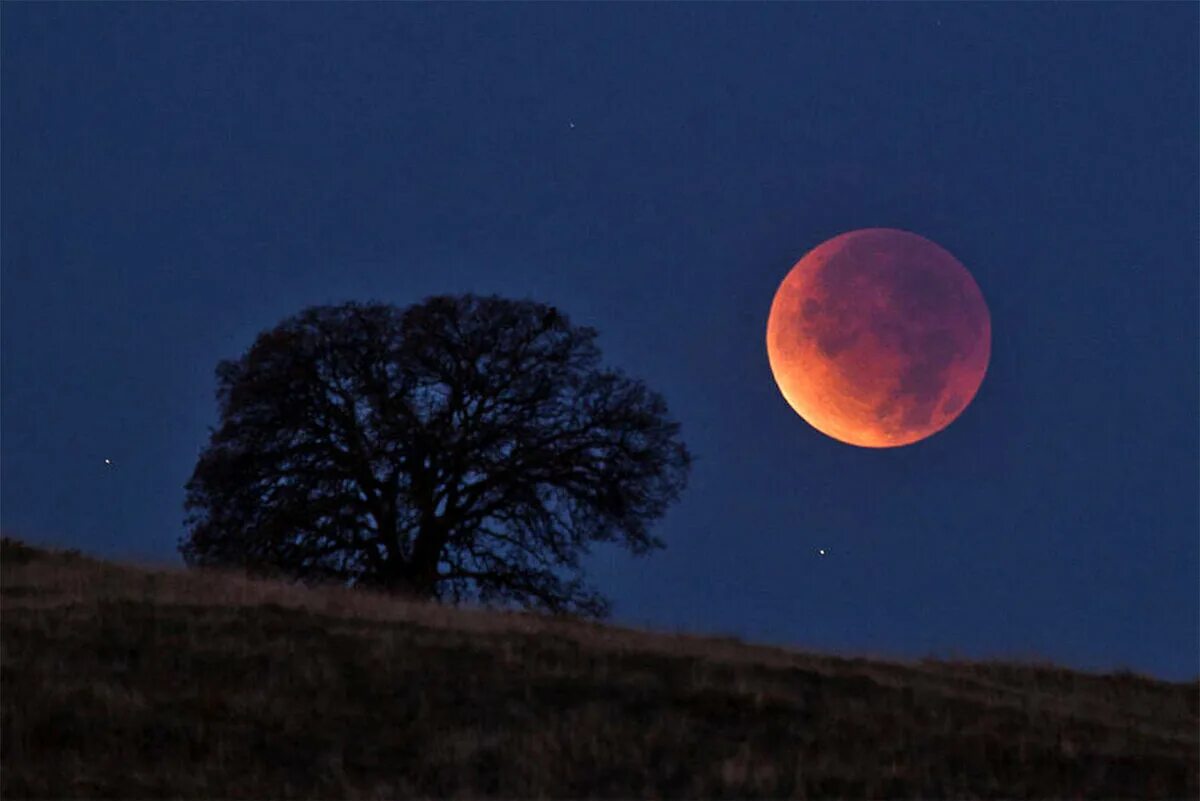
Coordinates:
465 448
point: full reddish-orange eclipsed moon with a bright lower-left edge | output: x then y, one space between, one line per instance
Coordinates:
879 338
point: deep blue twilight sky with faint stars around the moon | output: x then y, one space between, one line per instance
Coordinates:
177 179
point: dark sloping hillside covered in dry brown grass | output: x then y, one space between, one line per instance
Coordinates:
131 683
